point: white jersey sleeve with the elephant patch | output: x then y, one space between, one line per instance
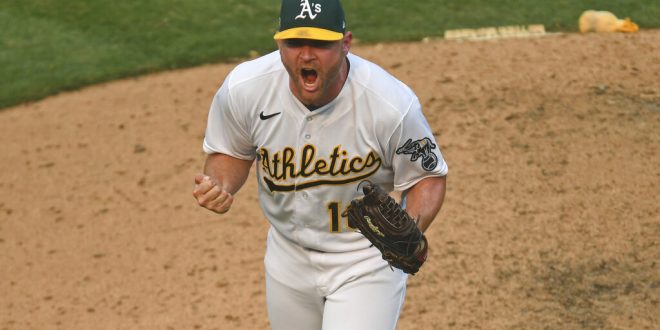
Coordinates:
415 153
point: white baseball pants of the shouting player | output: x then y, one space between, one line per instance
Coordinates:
313 290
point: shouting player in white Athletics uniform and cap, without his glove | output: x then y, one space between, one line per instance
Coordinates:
319 120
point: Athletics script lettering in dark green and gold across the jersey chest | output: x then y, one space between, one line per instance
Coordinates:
336 168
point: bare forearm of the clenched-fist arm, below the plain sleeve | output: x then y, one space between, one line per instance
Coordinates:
230 172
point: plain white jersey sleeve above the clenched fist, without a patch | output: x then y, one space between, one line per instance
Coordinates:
226 133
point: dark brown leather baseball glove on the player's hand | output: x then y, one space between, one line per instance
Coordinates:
389 228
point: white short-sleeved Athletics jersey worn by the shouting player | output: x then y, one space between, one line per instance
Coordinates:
309 163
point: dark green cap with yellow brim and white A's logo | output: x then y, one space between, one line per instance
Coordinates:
311 19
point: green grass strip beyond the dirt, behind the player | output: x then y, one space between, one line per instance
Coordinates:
47 46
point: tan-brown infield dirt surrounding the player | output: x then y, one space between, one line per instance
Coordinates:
551 221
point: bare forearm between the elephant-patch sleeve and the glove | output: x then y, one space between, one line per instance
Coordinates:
425 199
